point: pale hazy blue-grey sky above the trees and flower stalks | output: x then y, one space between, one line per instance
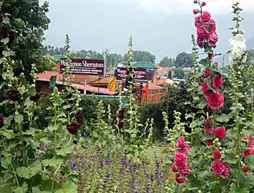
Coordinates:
162 27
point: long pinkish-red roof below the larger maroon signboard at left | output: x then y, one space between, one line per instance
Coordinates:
45 76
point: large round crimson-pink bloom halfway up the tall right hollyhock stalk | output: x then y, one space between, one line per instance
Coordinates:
214 100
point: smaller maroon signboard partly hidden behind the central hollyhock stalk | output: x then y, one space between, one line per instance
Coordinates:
122 73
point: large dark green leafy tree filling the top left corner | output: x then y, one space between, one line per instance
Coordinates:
25 23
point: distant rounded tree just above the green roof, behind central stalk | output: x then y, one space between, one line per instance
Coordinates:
141 56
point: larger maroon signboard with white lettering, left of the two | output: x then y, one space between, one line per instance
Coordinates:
84 66
